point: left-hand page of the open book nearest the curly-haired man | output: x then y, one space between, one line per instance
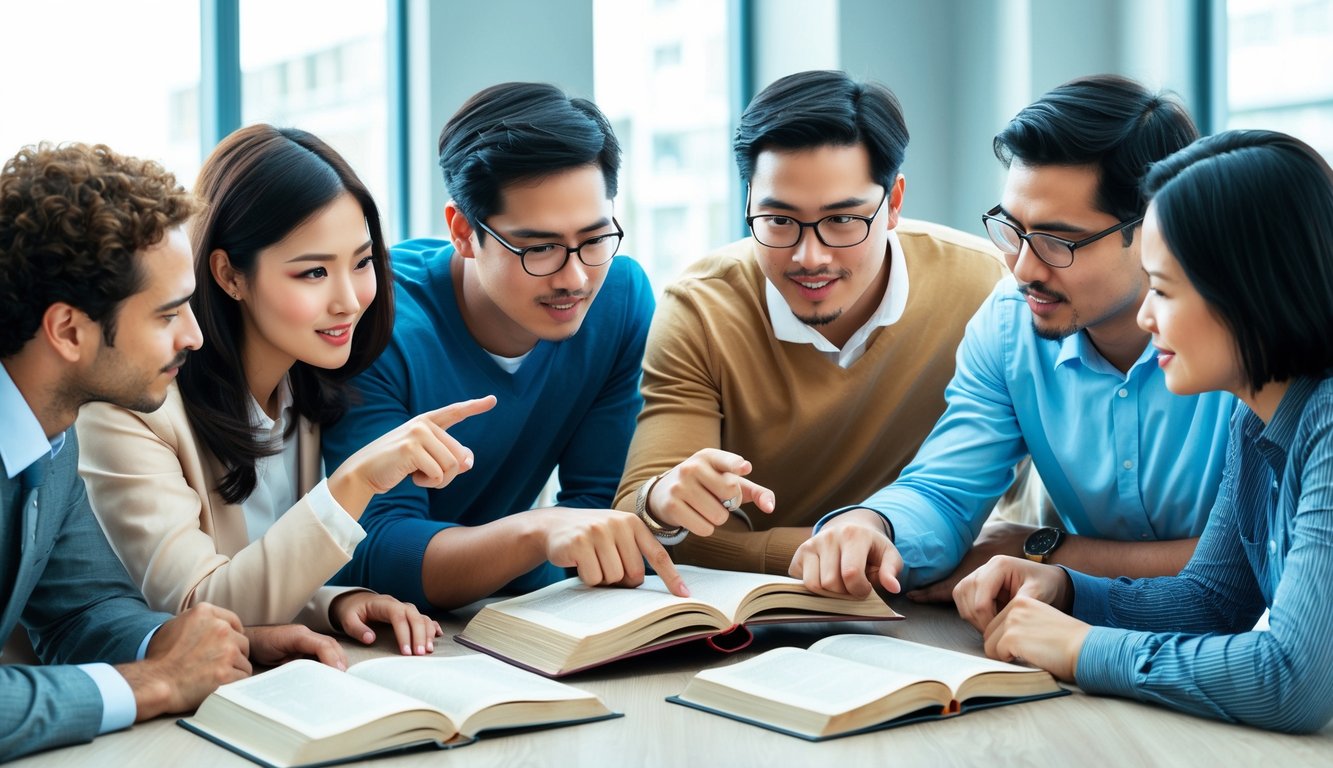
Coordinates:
315 699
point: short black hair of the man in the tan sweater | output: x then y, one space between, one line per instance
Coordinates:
824 109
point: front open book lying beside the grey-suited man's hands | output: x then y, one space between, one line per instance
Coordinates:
307 714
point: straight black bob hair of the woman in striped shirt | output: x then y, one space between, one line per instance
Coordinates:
1250 218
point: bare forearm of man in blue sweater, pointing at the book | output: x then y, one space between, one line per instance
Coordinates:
467 563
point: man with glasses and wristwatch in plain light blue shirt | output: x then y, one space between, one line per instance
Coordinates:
1054 367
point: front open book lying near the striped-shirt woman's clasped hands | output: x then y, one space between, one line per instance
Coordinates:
855 683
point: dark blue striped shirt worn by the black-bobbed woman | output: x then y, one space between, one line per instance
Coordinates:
1186 641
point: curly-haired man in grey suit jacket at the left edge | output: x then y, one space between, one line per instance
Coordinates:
95 281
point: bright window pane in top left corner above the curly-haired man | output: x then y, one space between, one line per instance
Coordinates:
103 74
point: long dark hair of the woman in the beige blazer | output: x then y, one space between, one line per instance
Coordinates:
259 185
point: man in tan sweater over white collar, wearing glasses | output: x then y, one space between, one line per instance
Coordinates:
798 371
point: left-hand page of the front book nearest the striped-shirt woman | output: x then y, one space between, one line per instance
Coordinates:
815 682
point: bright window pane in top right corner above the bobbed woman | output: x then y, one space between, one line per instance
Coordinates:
1278 71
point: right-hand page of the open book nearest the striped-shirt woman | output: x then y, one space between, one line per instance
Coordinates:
948 667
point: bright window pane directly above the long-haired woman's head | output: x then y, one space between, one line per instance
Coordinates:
323 69
